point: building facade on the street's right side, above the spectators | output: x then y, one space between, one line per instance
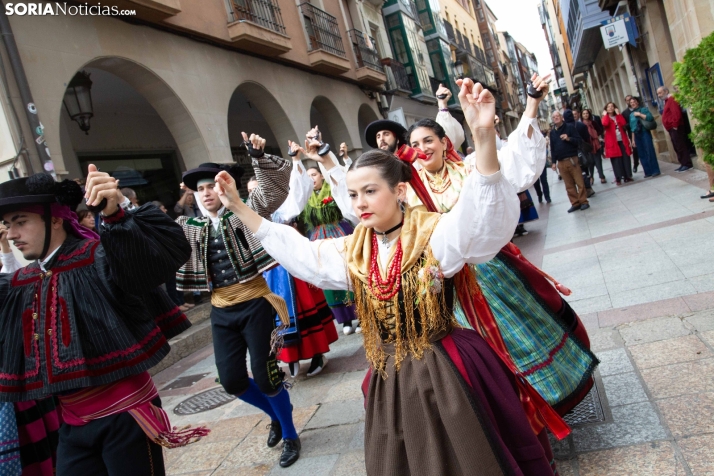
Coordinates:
659 33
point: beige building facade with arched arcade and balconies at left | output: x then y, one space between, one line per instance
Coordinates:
175 85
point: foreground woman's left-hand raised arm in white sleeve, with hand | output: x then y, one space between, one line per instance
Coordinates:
320 263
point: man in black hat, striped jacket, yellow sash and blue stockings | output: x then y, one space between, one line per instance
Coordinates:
229 261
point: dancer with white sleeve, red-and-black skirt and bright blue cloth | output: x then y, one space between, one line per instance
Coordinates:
312 328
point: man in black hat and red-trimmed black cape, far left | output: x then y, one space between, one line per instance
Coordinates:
74 324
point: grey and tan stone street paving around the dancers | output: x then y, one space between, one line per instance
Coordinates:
648 304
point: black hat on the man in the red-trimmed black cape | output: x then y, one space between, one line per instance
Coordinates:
39 189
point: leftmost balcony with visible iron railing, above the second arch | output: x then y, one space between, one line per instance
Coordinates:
257 25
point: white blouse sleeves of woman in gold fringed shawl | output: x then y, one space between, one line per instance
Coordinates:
480 224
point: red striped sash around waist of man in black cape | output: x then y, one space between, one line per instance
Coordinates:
134 395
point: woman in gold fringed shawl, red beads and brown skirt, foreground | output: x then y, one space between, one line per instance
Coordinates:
440 401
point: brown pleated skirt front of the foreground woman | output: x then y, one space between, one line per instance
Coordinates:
420 421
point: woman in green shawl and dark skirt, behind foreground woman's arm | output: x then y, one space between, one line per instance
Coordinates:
320 219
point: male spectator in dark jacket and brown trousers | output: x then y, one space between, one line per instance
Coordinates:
564 141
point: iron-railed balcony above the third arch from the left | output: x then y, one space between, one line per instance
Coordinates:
325 50
